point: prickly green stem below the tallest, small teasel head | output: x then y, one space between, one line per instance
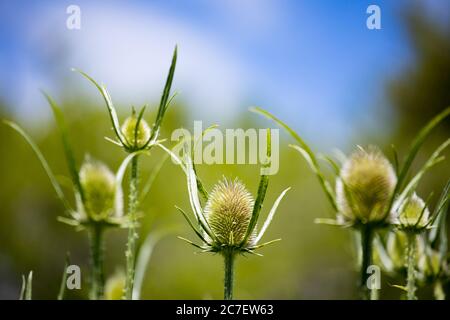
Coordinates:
132 230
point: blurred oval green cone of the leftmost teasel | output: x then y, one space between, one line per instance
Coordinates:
99 187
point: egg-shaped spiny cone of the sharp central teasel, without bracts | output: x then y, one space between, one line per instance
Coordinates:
229 211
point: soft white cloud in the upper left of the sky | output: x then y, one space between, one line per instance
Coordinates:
129 48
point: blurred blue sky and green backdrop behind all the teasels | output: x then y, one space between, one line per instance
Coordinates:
313 63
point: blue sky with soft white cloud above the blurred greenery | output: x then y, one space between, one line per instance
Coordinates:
311 62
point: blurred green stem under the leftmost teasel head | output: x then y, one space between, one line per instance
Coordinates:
98 280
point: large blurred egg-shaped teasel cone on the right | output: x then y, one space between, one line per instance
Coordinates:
365 186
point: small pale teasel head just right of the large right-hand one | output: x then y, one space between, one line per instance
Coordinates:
412 213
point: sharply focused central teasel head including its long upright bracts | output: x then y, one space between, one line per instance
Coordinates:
228 220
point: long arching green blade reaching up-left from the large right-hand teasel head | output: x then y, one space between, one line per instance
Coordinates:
311 158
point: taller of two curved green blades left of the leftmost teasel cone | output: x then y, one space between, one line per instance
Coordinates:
59 117
